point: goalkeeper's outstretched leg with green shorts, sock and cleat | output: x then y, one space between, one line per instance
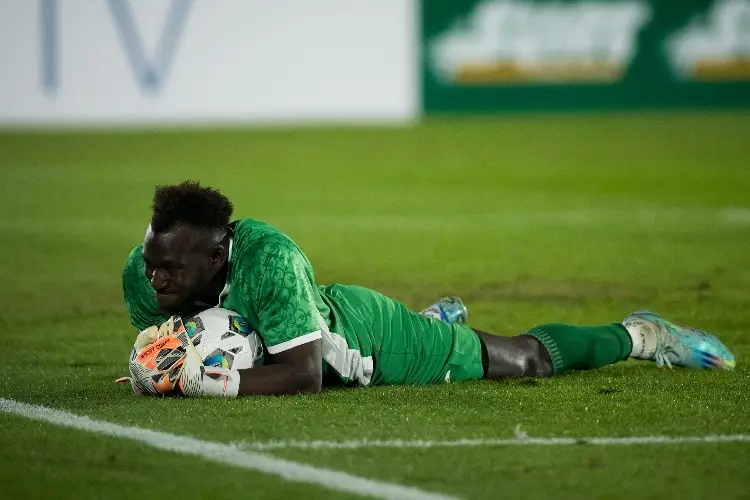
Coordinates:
414 349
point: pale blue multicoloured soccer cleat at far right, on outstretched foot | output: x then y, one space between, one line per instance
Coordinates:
679 345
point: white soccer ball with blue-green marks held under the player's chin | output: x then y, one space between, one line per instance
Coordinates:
224 339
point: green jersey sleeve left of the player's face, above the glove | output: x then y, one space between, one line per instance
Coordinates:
139 297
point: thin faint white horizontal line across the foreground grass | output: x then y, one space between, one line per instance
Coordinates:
517 441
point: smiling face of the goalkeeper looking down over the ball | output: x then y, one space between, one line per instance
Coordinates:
179 265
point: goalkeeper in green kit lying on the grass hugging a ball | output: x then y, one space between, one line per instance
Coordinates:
192 258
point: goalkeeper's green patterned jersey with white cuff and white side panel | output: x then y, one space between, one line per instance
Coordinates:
271 284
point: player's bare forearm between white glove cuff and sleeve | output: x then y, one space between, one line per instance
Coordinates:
280 379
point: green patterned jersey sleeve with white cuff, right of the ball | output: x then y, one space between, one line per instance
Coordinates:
285 297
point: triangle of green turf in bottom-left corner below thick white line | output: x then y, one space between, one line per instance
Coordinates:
41 461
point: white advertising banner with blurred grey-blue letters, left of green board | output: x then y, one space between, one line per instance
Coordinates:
92 62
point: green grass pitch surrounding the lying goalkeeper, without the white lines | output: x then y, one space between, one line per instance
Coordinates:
577 219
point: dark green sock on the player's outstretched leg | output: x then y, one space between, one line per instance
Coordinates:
583 347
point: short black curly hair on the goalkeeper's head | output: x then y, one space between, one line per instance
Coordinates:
191 203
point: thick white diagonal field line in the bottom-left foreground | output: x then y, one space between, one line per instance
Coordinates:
223 453
